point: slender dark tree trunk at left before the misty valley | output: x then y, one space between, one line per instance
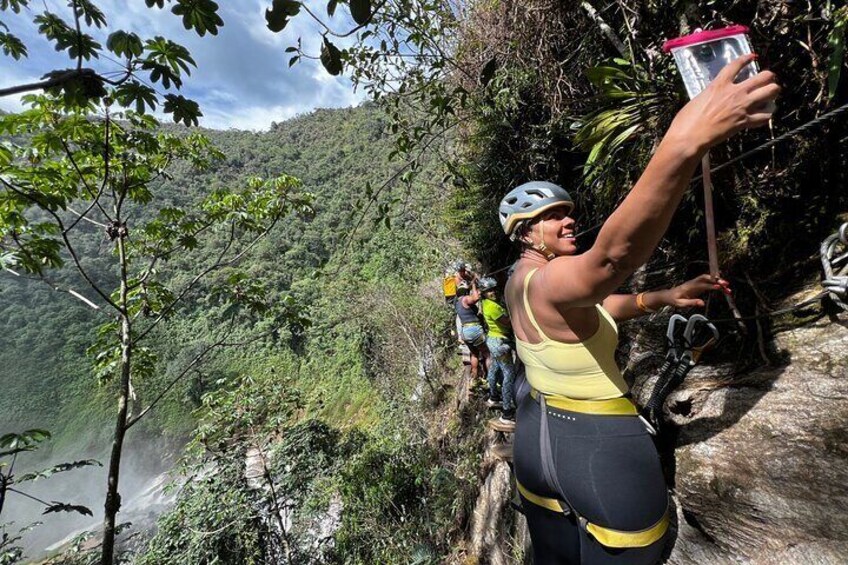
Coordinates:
113 498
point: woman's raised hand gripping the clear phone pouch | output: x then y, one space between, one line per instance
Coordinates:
724 107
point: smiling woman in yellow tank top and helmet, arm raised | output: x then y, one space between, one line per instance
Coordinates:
587 471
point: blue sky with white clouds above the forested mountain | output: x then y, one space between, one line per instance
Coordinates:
242 79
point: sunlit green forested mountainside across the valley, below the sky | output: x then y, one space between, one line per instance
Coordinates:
353 273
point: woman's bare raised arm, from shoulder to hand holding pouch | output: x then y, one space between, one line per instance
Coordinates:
634 229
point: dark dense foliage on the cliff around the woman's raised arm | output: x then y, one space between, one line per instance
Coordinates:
581 96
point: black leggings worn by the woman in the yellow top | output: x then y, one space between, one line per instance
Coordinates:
610 471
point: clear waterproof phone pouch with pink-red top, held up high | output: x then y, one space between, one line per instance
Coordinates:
701 56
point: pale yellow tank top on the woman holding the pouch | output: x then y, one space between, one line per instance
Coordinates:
585 371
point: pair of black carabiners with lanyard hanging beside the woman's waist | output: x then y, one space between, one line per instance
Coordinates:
684 351
